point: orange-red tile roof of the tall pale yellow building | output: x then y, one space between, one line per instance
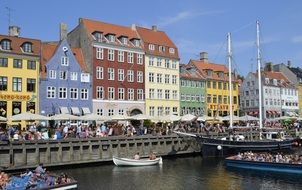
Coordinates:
158 38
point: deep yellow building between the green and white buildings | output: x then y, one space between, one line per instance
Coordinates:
217 87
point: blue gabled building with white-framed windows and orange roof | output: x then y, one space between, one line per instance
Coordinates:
65 83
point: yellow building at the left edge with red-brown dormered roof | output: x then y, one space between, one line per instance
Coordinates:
19 73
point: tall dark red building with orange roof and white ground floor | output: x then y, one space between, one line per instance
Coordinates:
115 57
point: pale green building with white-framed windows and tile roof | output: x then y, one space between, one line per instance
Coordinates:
192 91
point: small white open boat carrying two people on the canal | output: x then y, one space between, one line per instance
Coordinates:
133 162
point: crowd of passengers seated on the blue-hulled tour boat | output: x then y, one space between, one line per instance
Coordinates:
268 157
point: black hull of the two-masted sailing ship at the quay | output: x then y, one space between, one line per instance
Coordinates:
220 148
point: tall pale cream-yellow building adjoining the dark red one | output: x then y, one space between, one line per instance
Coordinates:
161 73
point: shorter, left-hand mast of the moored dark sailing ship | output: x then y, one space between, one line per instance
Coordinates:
230 79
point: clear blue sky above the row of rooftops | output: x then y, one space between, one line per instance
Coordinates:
194 25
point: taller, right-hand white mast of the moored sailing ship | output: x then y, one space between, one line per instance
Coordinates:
259 75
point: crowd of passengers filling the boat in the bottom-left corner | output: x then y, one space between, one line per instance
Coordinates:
38 178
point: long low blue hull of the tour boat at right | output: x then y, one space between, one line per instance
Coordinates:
264 166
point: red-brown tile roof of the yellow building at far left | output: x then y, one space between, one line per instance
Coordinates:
17 42
